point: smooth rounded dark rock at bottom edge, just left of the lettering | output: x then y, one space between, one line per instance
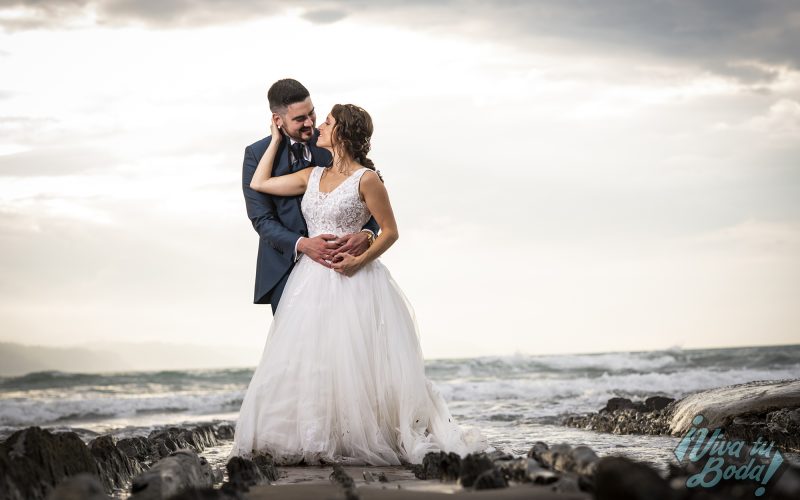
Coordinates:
619 478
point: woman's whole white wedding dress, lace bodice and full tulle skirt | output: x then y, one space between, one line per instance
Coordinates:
341 378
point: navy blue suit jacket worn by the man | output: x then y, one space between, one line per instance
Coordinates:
278 220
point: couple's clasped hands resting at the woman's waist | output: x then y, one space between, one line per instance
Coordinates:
337 253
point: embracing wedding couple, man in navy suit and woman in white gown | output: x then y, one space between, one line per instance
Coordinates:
341 378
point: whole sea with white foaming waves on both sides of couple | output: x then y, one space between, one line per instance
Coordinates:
515 400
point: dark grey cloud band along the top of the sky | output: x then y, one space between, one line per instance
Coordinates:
741 39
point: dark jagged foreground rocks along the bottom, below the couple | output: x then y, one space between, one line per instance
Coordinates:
37 464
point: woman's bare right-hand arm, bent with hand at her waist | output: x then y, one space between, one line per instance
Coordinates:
377 200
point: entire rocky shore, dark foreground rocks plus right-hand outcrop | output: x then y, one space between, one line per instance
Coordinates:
169 463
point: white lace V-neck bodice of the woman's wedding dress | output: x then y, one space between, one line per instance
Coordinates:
339 212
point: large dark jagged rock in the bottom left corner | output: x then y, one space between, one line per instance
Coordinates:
33 461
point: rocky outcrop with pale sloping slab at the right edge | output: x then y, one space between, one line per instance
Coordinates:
766 409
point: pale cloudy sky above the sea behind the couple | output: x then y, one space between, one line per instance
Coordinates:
566 176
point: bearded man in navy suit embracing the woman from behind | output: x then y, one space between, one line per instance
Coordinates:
283 235
